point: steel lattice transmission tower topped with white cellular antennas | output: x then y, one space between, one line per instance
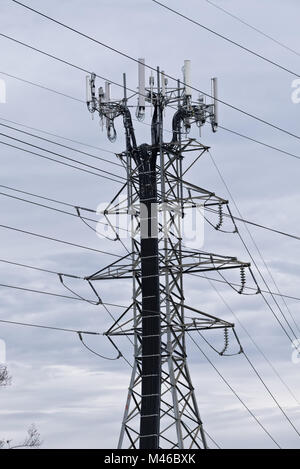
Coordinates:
161 408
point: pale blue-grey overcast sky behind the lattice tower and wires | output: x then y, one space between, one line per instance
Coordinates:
75 398
